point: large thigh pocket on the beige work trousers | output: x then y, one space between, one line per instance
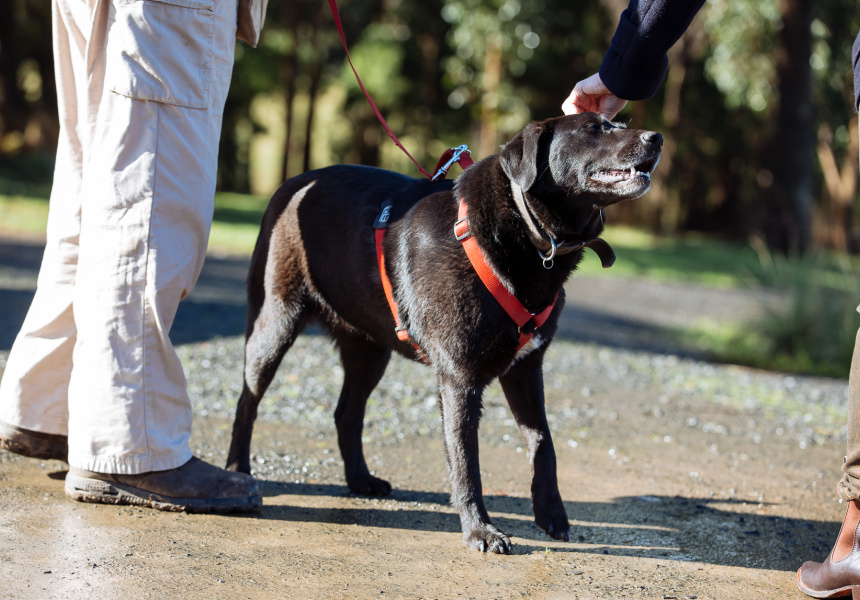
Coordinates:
161 50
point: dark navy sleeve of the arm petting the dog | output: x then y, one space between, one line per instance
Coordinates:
636 62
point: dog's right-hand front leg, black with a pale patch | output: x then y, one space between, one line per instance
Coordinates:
523 387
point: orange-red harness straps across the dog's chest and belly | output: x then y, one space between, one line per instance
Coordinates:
526 322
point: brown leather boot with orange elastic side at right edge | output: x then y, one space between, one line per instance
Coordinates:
839 575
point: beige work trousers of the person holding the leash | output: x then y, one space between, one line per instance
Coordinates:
141 87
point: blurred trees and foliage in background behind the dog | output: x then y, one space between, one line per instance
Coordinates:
749 87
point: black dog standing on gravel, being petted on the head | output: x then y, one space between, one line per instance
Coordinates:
531 210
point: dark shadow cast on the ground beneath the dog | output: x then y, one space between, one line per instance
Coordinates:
664 527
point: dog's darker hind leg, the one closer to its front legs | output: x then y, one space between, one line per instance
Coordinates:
364 363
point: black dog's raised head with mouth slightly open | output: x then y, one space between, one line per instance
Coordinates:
583 155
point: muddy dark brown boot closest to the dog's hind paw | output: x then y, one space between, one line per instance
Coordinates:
196 487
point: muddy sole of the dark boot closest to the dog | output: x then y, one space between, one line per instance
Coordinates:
85 489
